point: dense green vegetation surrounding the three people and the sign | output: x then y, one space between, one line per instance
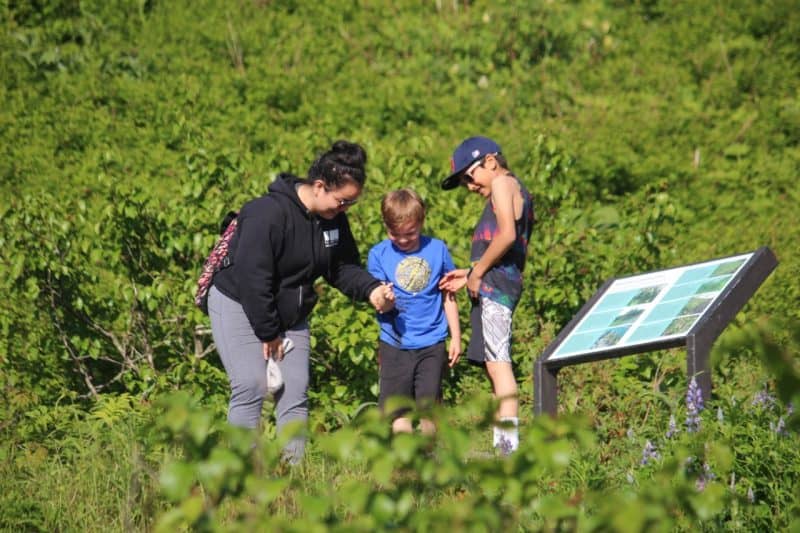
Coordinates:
652 134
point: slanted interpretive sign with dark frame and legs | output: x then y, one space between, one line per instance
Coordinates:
652 311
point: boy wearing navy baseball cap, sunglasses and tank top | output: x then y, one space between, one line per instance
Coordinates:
494 280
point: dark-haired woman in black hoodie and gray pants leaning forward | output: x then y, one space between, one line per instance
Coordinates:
284 242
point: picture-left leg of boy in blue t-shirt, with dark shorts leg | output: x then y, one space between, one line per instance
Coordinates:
396 374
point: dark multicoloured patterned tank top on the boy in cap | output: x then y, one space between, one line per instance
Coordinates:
503 282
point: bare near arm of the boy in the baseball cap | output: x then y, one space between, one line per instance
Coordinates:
503 190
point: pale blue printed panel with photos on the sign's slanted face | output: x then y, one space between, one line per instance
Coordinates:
650 307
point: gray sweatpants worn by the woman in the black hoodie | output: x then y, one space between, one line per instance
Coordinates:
243 358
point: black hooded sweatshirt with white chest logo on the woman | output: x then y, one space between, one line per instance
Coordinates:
279 250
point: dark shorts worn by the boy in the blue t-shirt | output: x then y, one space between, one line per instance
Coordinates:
411 373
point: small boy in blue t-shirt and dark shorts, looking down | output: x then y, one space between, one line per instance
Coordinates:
411 350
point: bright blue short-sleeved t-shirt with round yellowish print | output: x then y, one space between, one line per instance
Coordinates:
418 319
